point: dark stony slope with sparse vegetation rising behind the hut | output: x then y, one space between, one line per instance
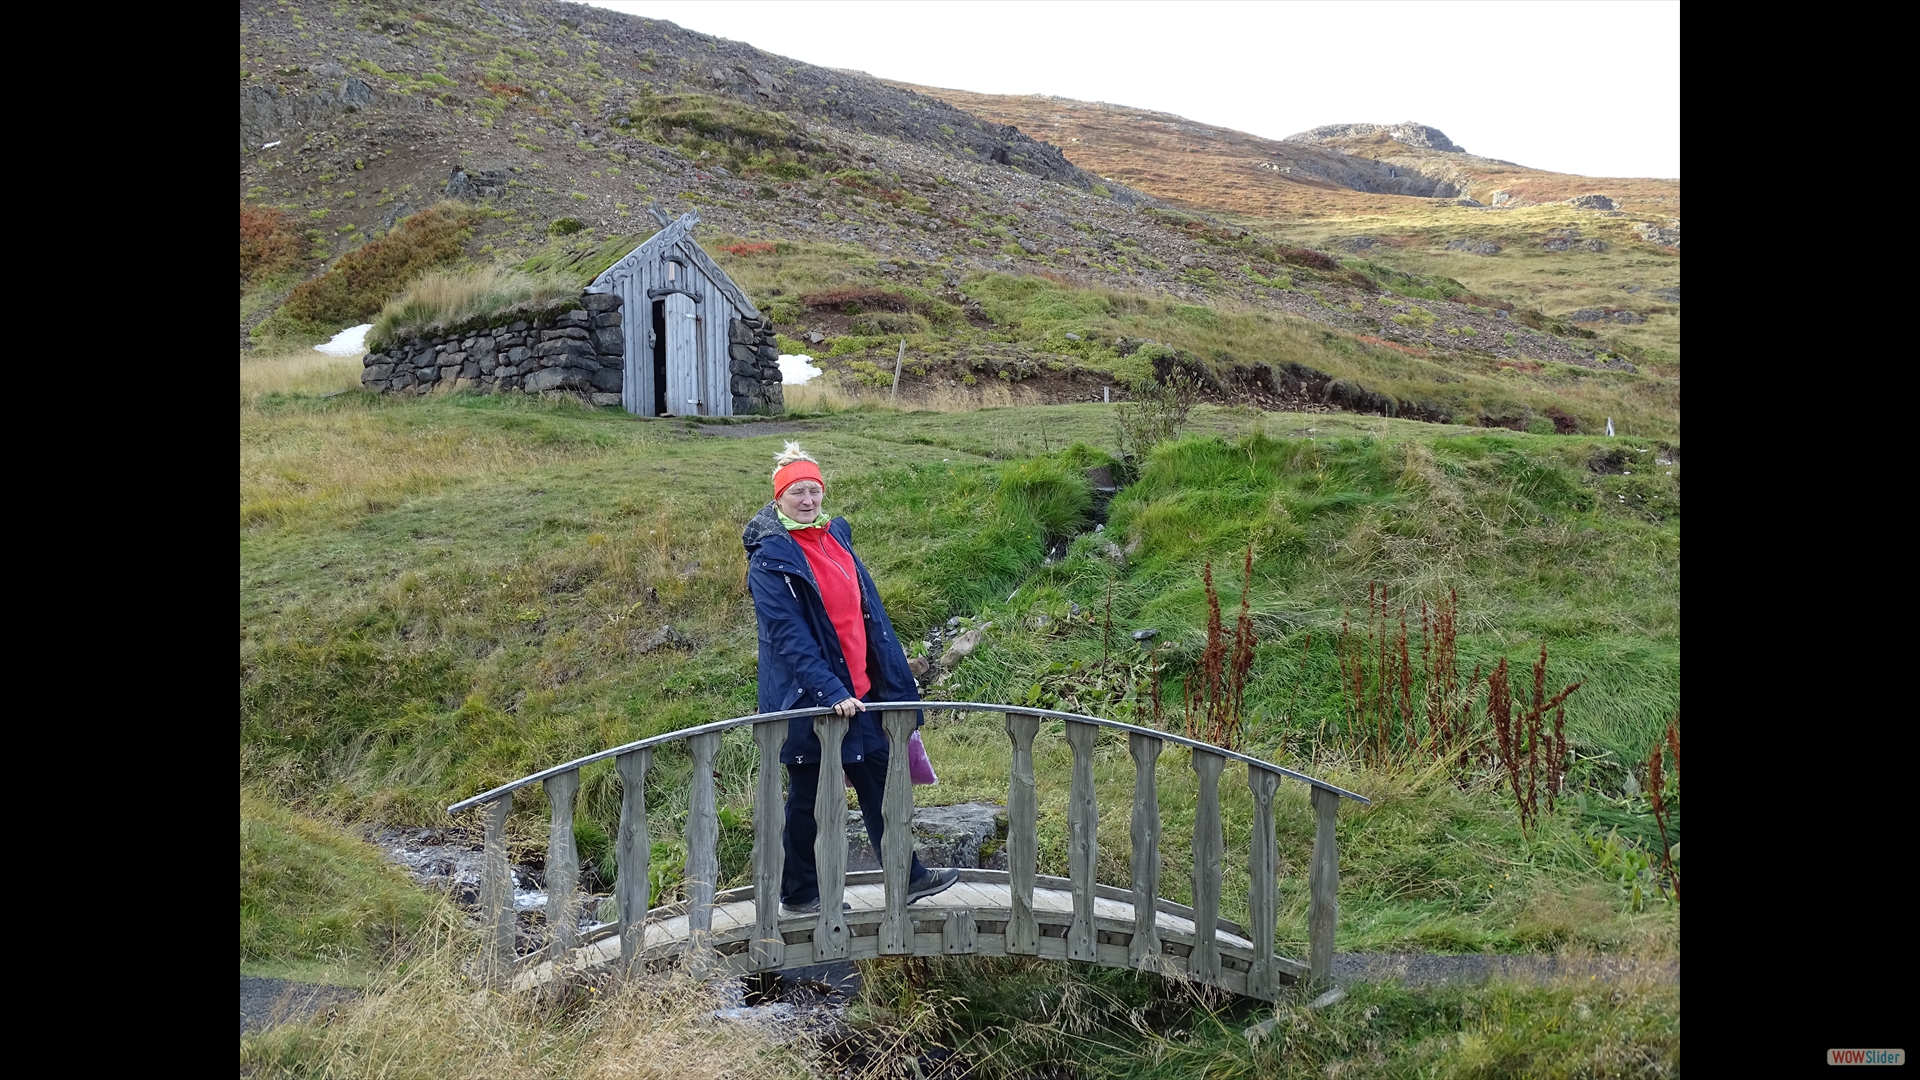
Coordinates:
554 128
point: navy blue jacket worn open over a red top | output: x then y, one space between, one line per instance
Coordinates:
802 662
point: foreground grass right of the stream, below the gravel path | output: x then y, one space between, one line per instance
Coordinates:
1019 1018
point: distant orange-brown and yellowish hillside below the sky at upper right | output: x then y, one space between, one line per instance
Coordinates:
1239 176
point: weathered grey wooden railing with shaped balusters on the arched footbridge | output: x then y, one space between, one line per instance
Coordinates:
767 948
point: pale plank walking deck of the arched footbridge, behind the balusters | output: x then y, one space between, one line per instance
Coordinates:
967 920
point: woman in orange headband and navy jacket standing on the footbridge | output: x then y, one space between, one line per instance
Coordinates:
825 641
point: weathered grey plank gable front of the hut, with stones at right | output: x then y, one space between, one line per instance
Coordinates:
696 347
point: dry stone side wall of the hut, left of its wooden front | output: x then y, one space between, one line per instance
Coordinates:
573 347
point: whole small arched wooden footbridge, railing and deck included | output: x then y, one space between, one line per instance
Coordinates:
1013 912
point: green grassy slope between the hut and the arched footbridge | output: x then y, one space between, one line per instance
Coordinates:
468 589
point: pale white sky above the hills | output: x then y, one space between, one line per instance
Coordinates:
1575 87
